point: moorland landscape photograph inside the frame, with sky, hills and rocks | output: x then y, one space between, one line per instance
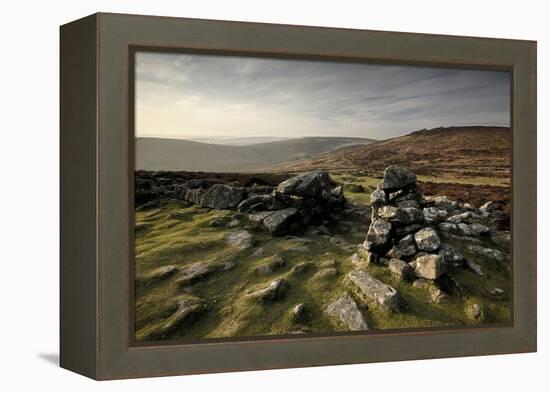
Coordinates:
298 197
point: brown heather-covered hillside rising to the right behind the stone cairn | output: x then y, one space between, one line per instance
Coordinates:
454 152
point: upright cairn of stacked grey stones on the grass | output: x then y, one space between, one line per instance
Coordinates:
401 235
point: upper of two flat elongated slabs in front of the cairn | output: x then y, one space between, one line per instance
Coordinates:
371 290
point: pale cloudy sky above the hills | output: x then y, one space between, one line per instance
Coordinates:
189 95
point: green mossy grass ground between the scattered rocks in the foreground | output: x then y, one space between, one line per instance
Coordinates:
178 234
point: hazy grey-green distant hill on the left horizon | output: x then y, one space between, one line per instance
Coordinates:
183 155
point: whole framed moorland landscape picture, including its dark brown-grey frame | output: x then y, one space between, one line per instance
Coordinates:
241 196
